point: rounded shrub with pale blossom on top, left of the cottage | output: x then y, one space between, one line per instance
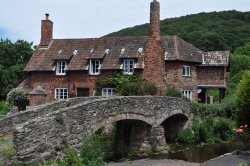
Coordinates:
18 97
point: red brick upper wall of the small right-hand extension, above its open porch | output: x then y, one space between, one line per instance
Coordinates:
212 75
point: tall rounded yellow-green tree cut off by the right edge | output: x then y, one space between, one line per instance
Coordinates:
243 100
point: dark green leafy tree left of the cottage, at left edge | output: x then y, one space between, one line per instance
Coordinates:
13 57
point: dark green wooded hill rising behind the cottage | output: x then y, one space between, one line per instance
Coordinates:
226 30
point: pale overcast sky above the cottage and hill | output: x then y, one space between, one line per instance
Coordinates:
21 19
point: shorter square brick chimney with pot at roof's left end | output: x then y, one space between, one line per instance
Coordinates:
46 31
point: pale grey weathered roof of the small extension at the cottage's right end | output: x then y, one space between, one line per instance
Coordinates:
216 58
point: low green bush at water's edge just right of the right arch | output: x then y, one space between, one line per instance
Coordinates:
186 136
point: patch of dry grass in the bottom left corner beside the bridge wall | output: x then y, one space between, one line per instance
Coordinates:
6 147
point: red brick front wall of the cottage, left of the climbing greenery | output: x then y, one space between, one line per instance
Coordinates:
73 80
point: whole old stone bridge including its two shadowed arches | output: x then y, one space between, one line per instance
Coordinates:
141 123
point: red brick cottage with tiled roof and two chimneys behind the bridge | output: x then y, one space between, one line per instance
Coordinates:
60 67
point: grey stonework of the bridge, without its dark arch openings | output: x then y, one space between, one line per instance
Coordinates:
41 138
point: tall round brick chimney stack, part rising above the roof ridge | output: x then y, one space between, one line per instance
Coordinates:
154 29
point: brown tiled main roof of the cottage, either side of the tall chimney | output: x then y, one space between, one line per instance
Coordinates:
110 49
